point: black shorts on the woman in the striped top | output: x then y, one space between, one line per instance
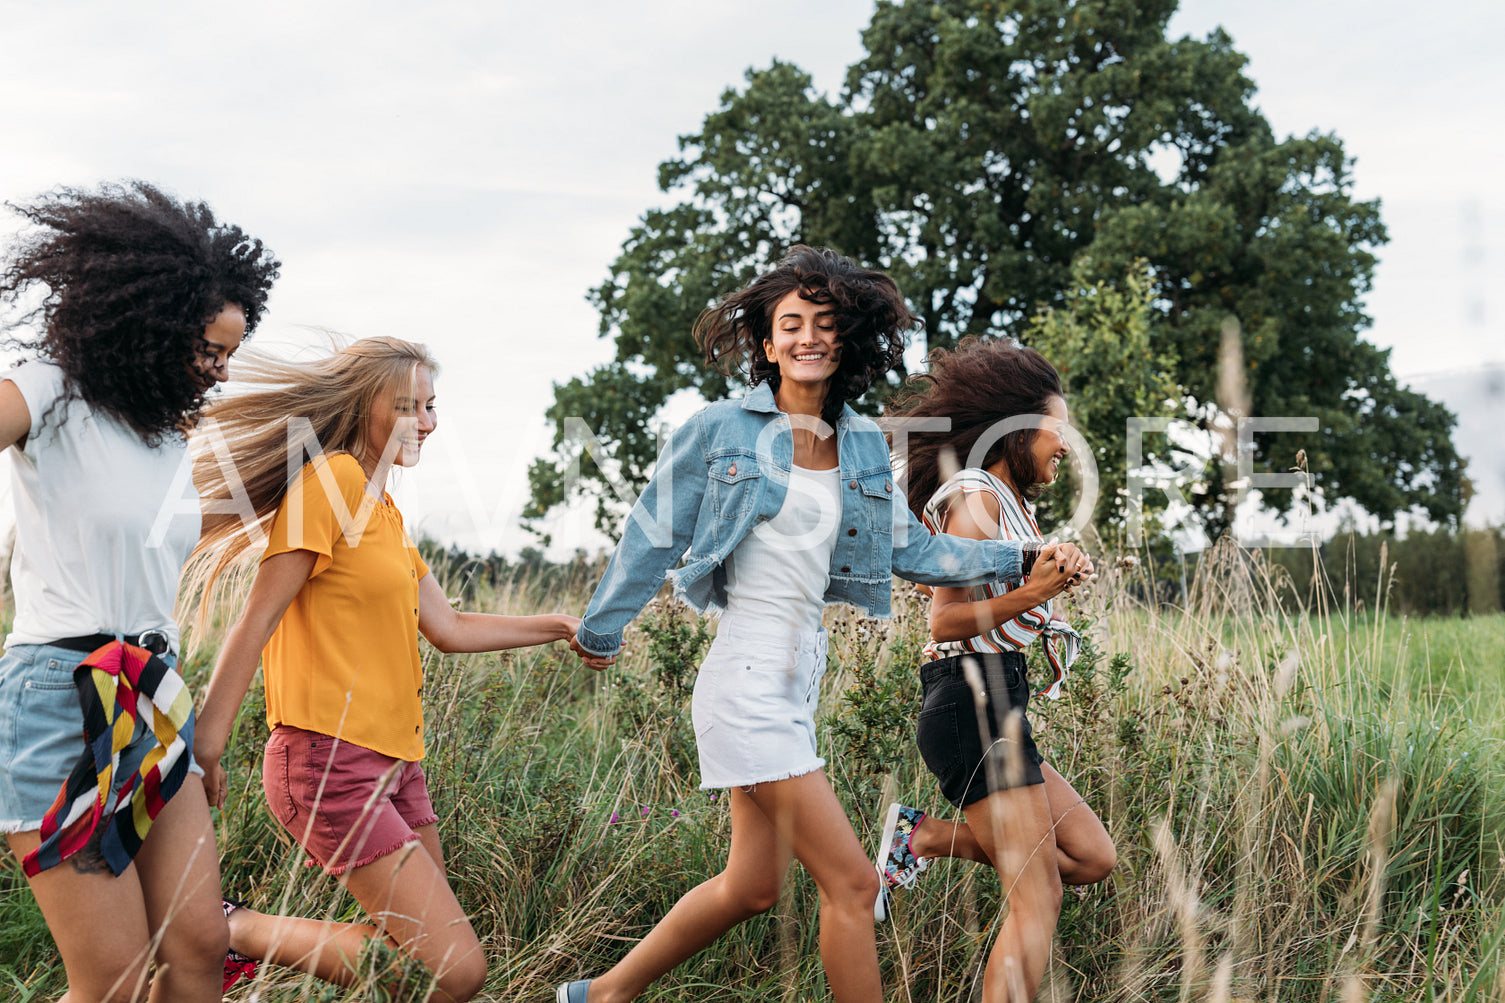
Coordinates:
952 728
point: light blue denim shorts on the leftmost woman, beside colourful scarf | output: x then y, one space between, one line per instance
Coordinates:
43 734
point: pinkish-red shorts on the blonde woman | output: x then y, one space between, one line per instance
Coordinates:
324 794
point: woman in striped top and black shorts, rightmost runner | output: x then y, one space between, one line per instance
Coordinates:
1024 819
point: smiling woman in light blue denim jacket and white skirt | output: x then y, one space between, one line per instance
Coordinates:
780 504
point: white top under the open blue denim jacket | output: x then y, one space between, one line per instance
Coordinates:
780 572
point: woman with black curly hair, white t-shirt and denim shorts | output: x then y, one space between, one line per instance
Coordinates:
141 302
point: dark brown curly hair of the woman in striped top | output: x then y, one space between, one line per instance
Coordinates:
976 386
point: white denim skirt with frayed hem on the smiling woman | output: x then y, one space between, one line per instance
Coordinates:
755 706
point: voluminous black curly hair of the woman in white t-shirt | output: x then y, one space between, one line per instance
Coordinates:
133 278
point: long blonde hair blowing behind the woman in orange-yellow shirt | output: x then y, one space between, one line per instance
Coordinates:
320 407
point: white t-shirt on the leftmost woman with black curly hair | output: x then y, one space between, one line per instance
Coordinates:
105 523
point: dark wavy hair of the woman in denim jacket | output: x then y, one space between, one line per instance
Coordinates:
871 317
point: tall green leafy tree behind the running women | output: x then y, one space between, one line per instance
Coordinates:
977 153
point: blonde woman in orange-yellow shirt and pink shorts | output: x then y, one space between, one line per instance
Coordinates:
335 614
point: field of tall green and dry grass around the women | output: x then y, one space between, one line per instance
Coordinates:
1307 806
